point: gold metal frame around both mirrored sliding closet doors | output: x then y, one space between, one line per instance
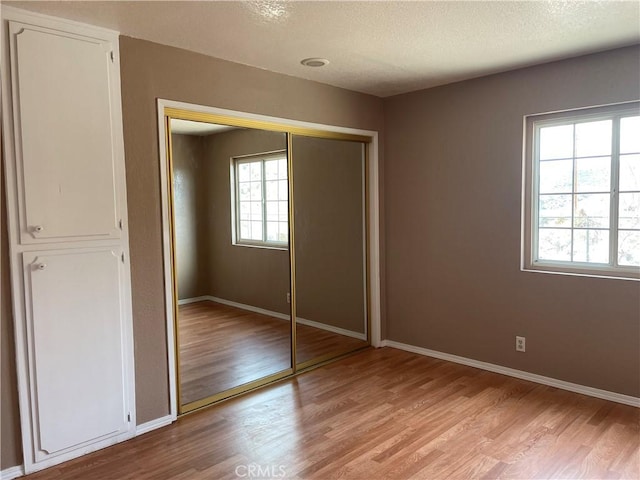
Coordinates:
173 113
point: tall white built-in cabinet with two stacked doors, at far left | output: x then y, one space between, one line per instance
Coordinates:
67 219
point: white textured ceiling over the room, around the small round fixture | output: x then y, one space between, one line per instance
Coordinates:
377 47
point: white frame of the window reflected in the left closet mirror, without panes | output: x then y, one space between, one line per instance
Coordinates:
236 239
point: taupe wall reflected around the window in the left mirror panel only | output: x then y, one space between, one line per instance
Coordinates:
207 262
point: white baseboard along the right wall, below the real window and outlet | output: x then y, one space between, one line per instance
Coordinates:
512 372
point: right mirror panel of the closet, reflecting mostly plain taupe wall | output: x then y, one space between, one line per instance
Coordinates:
331 312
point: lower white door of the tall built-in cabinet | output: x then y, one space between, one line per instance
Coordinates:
76 344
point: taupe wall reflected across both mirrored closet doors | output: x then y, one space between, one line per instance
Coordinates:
329 240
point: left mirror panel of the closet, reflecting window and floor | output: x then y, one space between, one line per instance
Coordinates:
231 257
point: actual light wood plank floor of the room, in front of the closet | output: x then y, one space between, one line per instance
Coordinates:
382 414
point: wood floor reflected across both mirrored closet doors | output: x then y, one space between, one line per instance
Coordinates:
222 347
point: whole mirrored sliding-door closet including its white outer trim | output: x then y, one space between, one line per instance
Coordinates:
269 246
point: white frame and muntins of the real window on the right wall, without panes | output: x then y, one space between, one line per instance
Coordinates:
530 189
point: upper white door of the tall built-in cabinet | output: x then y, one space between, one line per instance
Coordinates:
64 135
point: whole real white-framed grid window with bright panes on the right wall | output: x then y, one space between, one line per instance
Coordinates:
582 205
